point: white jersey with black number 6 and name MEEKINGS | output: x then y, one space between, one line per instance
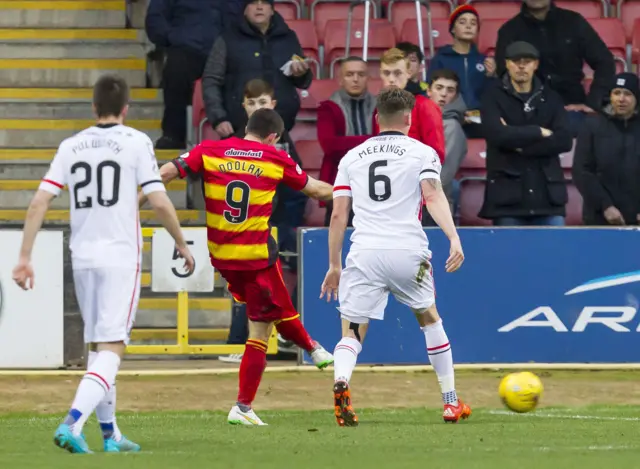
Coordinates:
382 176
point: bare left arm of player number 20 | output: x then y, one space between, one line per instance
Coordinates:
23 272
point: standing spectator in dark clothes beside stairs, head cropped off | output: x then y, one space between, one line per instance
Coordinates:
186 31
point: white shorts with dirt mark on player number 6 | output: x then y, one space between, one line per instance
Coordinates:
370 276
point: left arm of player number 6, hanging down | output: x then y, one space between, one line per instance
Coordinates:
339 220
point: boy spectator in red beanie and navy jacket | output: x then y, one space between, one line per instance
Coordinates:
463 57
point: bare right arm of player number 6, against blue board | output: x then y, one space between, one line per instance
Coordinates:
438 207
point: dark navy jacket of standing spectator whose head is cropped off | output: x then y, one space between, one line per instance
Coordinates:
189 24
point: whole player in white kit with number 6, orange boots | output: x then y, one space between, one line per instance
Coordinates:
386 179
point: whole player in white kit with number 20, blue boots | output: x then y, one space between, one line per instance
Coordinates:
102 167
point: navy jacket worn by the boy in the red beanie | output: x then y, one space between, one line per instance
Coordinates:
469 68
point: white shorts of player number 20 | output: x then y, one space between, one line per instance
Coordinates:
108 299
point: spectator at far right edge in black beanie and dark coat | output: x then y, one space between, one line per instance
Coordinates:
606 166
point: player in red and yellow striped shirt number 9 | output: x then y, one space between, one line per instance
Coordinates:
240 179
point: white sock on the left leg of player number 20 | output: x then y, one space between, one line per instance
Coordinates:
95 385
